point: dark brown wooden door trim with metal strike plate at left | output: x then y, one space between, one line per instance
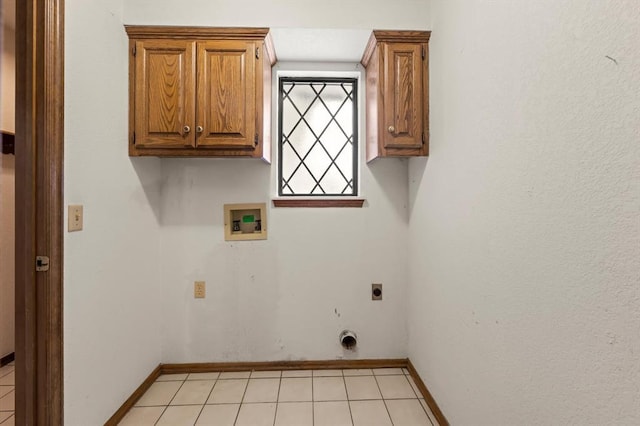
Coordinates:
39 210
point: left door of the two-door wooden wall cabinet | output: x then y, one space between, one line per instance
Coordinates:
164 94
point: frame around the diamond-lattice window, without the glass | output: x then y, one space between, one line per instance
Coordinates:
344 77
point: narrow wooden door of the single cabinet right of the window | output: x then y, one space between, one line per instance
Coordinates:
403 100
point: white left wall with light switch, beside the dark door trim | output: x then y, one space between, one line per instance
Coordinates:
111 279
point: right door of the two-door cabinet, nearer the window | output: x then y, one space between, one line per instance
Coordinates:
226 114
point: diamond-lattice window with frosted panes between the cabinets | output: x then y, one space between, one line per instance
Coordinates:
318 137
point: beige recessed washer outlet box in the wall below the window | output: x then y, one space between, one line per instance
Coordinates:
245 222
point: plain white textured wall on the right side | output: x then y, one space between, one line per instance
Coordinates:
525 237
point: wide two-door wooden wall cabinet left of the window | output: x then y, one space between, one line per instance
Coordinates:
200 91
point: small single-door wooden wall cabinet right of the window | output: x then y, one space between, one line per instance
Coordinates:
397 86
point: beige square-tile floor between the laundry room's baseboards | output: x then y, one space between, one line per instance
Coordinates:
378 397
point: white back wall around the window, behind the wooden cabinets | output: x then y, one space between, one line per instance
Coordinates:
290 296
